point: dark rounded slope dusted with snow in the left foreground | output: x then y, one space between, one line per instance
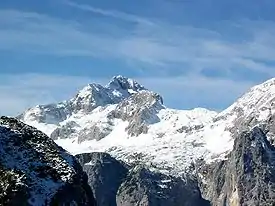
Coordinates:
35 171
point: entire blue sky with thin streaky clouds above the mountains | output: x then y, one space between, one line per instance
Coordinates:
194 52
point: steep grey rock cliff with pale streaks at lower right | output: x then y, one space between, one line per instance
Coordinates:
247 177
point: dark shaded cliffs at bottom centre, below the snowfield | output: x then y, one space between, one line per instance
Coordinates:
115 183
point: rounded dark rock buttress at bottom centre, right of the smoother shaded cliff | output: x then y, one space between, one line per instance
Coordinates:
143 187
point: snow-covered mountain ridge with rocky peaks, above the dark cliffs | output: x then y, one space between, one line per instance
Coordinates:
138 124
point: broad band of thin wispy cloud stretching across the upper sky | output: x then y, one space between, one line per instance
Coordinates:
154 44
